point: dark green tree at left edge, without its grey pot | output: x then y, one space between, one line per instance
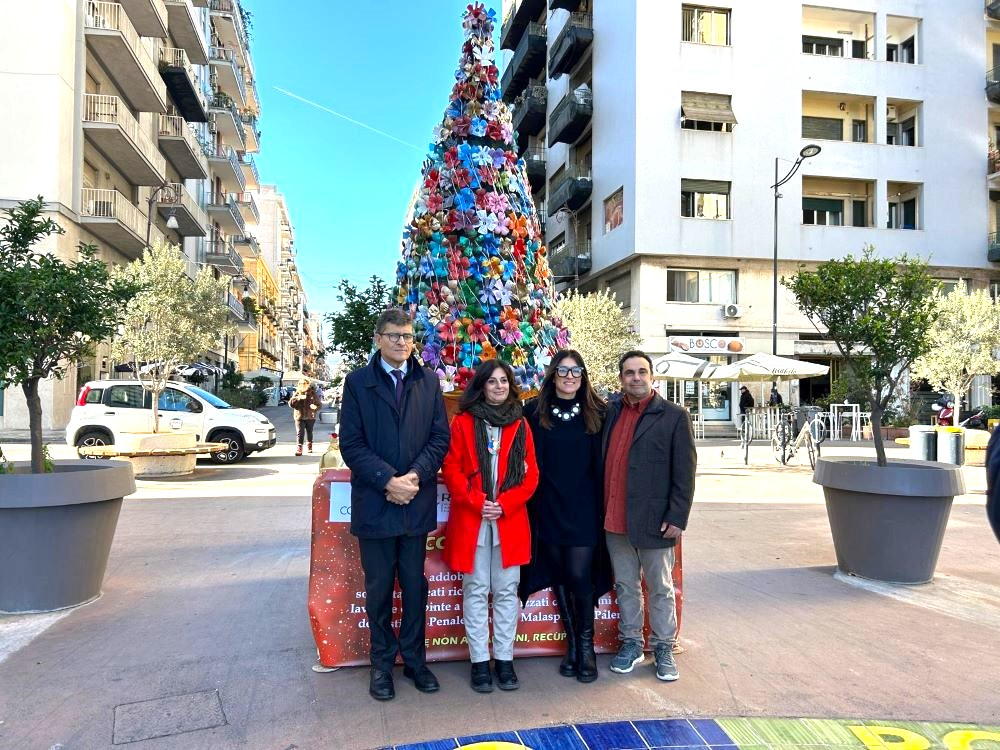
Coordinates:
51 310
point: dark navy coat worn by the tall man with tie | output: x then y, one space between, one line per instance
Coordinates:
379 440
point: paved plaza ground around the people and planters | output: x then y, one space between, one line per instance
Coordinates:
201 639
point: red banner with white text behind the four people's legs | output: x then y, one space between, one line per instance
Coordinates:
337 592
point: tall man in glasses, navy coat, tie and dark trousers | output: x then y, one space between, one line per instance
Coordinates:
393 437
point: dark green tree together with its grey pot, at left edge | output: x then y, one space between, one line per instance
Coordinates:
56 527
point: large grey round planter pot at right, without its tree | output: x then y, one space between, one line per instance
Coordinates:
888 522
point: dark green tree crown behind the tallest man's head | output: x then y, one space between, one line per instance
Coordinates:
352 328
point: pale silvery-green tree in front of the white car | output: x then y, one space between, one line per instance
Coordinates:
172 320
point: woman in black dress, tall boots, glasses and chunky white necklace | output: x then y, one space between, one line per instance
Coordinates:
567 510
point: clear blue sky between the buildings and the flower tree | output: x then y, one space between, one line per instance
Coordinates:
390 65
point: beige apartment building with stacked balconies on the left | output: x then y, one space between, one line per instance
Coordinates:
137 121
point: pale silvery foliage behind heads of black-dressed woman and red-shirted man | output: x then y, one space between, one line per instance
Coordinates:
600 330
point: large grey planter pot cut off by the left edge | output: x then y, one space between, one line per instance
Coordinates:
56 532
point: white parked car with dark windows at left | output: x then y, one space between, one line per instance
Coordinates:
107 408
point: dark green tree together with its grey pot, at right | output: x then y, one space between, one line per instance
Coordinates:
887 516
